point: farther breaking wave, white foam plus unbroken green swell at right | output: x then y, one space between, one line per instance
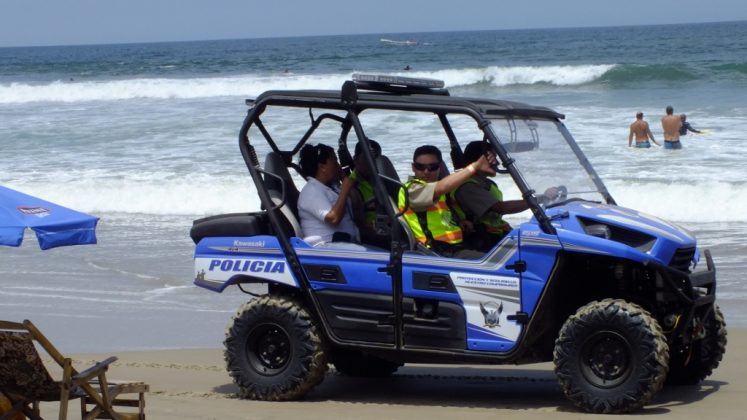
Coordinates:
250 85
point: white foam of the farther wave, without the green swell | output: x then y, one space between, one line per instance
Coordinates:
252 85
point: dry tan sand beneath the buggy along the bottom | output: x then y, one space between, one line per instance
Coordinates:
193 384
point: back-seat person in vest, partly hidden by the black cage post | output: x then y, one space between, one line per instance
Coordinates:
363 199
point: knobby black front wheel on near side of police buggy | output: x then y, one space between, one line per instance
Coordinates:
611 357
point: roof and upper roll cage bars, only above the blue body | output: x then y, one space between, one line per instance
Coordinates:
402 94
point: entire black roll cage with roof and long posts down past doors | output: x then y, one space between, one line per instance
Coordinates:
389 93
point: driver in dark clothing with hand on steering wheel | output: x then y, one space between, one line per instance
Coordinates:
480 201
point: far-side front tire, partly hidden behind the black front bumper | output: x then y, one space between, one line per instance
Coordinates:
692 364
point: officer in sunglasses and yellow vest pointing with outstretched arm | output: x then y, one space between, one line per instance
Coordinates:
428 215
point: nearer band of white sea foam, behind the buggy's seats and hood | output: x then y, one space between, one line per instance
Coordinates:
702 202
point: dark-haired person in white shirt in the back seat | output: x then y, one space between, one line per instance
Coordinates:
322 204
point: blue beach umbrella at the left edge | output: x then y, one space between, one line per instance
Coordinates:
54 225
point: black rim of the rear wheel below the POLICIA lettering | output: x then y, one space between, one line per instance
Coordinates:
268 349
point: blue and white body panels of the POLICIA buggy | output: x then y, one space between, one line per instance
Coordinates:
488 290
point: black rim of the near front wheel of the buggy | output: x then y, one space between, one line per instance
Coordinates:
606 359
